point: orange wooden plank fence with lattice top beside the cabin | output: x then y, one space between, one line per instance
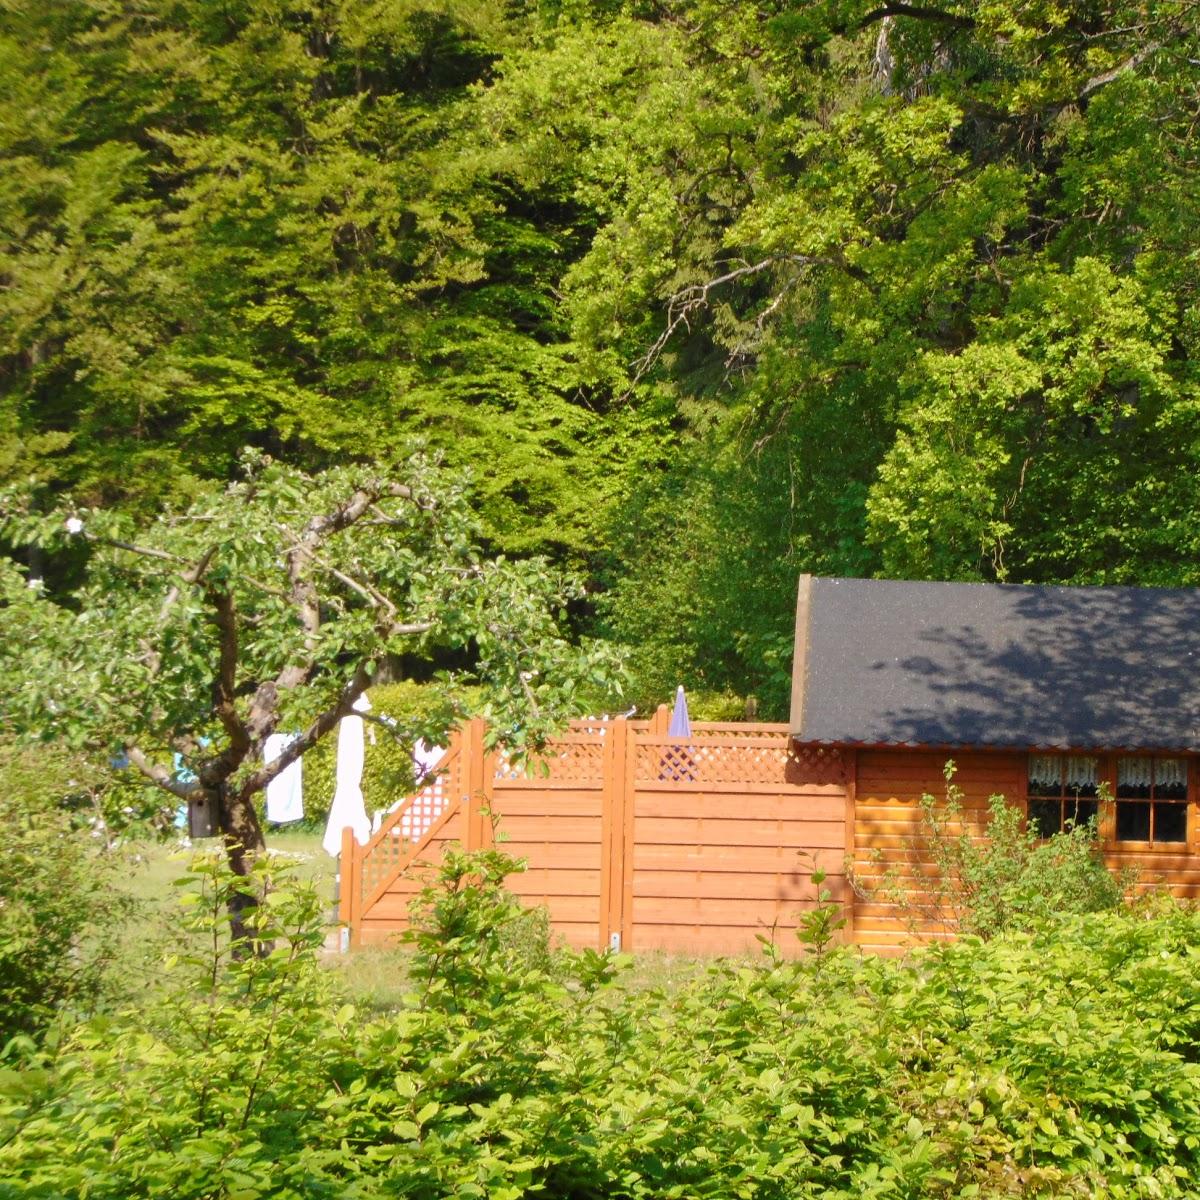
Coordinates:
632 838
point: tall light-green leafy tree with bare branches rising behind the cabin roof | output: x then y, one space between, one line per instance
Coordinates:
937 255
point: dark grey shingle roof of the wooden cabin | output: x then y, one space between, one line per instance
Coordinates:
883 662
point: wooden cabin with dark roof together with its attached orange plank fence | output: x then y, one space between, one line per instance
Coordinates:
1075 704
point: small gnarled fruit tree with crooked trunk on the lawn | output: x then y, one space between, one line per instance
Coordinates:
269 605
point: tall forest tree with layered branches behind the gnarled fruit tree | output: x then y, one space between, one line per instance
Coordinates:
259 225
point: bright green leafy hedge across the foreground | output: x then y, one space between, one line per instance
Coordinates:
1060 1063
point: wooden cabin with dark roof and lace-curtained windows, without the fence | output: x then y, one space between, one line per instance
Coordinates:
1075 704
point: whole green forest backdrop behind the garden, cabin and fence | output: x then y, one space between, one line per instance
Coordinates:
703 295
